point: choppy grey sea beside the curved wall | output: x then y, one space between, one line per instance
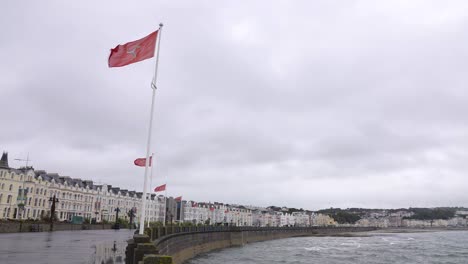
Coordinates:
382 248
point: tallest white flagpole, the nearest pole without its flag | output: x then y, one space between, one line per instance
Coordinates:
153 86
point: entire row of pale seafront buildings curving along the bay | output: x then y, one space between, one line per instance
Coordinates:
26 193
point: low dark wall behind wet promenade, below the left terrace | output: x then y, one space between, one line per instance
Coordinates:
16 227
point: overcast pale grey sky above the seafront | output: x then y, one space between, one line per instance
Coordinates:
310 104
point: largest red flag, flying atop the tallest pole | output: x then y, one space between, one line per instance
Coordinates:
133 51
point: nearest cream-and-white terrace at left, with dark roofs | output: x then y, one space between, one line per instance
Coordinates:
26 193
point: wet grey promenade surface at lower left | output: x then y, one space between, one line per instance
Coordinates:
70 247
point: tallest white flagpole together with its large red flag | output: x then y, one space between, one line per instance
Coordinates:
129 53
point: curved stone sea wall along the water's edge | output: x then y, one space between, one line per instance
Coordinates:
176 244
